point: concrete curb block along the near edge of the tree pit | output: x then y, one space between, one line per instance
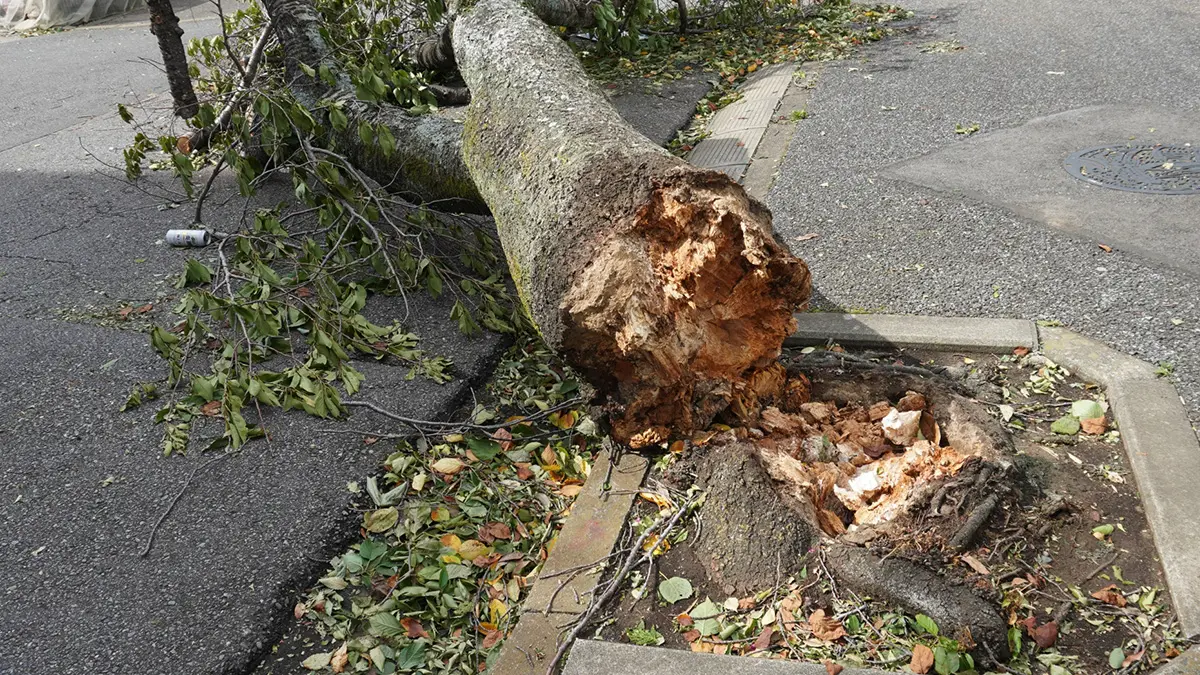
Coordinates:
596 658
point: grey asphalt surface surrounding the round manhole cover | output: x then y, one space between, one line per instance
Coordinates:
914 218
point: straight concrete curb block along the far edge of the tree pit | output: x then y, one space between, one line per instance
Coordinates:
928 332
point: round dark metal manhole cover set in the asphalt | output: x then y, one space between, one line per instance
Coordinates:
1159 170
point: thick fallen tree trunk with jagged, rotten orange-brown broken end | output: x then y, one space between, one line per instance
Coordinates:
662 282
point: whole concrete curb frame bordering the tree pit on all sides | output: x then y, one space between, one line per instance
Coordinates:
1165 457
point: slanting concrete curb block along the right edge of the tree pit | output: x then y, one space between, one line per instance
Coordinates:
1165 457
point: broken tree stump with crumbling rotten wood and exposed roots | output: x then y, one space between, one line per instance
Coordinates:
880 471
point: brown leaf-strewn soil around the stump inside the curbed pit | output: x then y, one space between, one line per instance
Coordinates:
1039 560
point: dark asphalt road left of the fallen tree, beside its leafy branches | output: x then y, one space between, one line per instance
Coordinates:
81 483
